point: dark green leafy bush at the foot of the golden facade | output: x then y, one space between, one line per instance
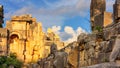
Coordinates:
5 62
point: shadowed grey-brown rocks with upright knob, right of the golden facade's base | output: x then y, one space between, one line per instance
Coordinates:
55 59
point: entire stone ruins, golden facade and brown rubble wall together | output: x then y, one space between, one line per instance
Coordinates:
23 36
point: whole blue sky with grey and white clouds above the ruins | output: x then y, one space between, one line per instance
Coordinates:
68 18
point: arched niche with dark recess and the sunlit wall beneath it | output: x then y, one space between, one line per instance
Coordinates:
16 45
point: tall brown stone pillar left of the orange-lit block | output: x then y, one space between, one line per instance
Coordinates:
97 7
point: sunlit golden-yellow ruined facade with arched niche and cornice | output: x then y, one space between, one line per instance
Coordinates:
26 39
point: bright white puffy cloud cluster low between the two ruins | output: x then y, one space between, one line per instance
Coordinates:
69 34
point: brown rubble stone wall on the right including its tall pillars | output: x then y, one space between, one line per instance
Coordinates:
103 44
